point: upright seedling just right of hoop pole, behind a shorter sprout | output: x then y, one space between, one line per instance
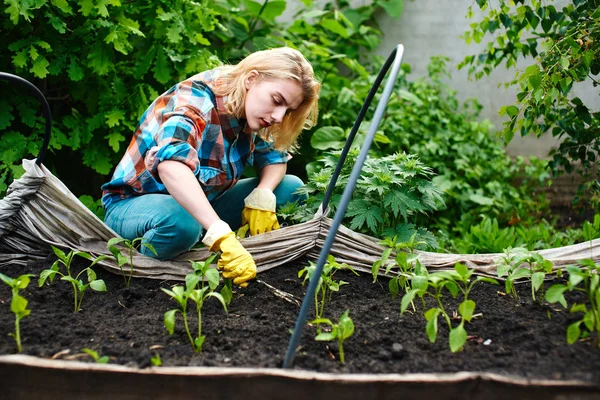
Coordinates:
327 285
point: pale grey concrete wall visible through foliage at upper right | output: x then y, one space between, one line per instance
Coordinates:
433 27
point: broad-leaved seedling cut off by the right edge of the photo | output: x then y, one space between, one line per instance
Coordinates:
587 281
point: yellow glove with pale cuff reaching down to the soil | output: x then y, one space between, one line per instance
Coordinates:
235 262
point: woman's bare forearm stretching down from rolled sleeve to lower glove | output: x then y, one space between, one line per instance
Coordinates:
181 183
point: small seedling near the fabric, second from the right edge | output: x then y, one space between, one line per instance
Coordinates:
510 267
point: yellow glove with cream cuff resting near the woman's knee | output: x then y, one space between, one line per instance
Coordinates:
259 212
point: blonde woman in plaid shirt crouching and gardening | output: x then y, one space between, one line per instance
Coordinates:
179 180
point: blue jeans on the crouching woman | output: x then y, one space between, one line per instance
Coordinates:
170 229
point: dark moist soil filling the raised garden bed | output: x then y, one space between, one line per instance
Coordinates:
512 337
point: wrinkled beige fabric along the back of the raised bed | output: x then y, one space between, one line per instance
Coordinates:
39 211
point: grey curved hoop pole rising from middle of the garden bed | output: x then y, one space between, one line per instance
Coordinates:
395 60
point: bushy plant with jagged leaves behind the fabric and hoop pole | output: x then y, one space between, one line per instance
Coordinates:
390 193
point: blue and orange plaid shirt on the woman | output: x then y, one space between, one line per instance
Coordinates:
188 123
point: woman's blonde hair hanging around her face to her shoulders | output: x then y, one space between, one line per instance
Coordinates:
278 63
